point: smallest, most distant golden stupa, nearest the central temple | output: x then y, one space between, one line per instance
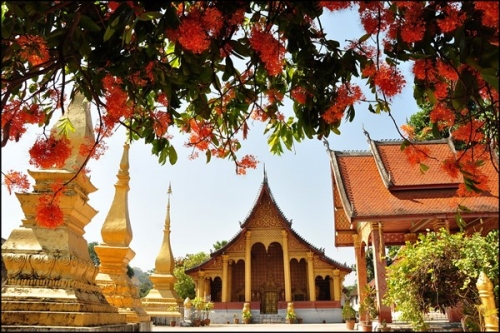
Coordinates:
162 300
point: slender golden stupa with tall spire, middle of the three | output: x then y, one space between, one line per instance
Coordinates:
115 254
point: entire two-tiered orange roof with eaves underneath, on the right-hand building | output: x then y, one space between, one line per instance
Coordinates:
381 185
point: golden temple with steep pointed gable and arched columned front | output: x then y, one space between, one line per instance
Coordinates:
268 265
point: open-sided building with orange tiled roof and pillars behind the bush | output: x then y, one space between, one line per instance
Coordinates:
381 199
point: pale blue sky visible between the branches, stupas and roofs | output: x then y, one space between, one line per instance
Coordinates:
208 201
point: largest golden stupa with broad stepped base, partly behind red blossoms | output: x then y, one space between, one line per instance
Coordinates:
50 276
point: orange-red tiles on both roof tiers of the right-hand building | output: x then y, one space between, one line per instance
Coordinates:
361 186
